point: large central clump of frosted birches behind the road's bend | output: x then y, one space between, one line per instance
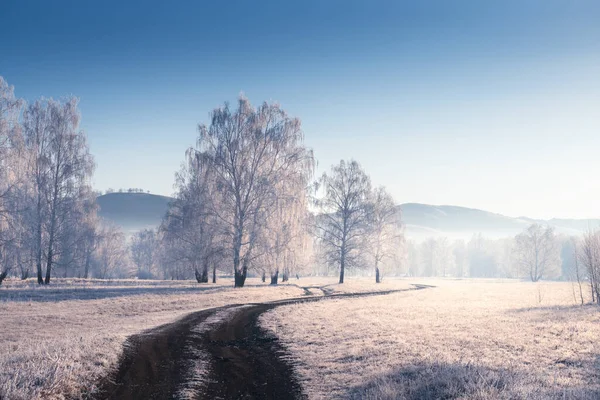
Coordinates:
242 197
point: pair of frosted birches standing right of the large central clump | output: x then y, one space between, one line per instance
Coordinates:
357 226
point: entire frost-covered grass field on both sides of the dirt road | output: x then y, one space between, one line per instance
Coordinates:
462 339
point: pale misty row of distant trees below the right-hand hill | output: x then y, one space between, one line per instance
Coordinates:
536 253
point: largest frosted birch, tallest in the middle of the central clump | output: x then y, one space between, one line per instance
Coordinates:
250 151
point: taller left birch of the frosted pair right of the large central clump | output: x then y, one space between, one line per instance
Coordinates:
343 224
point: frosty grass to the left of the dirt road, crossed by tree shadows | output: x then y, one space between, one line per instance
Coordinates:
57 340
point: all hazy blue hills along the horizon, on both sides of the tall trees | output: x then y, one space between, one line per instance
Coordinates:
135 211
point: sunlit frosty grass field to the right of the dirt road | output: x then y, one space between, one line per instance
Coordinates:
463 339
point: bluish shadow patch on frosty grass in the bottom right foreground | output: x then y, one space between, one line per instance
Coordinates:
463 381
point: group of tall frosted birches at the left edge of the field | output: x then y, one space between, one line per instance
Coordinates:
48 213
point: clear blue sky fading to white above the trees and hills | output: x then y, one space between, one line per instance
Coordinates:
494 106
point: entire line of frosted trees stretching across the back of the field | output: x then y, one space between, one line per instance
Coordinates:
247 202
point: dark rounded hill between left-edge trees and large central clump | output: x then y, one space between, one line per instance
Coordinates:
133 211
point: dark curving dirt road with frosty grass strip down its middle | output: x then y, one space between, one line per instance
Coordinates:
243 360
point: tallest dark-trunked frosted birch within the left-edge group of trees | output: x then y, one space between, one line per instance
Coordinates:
61 166
